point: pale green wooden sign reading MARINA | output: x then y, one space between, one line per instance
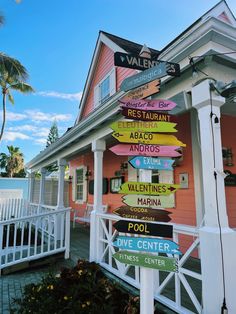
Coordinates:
149 201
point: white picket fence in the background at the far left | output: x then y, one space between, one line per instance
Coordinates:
13 208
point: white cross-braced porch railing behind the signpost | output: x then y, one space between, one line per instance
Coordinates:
170 288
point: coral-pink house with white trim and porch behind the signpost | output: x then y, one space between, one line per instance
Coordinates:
204 208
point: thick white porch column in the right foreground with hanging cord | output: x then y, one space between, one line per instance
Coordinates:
216 229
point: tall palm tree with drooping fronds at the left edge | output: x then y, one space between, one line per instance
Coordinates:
12 77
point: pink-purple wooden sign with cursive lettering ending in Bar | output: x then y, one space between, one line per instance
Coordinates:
148 104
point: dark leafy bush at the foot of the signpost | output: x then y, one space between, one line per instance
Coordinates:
83 289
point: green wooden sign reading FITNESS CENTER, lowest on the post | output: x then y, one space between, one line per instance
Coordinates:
168 264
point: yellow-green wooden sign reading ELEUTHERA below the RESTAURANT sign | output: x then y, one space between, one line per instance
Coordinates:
143 126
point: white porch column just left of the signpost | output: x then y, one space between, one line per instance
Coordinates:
98 147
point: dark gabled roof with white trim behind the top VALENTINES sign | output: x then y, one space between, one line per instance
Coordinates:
115 43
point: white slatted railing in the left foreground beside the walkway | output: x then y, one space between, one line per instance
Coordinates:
36 236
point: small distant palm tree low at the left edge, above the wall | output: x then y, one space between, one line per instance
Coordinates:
13 162
